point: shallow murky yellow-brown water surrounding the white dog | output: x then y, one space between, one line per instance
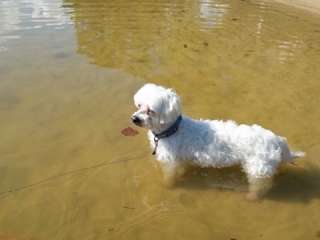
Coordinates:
68 70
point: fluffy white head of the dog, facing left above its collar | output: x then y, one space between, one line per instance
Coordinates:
158 107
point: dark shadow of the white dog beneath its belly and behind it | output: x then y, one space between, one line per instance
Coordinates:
291 184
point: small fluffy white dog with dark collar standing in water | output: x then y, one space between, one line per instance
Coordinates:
178 140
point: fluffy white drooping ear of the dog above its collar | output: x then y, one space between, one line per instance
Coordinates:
170 108
